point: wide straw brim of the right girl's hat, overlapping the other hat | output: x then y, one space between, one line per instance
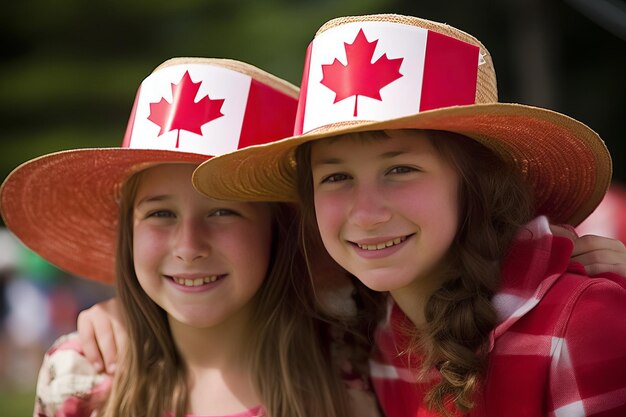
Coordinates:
566 163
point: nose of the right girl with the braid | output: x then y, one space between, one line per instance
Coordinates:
368 208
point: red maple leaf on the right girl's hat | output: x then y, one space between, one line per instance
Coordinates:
360 77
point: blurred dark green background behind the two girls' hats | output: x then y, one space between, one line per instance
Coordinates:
69 71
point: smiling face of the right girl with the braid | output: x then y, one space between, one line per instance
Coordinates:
387 209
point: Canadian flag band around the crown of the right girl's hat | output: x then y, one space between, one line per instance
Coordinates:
383 70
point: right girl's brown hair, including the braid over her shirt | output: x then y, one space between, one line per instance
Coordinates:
493 204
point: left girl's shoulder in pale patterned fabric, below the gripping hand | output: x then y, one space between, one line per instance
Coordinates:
68 384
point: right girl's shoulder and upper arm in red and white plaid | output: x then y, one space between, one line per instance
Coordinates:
568 351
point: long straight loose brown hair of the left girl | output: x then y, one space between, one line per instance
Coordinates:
292 369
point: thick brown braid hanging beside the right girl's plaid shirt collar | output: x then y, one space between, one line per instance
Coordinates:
460 316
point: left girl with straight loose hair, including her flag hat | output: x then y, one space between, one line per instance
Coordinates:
219 311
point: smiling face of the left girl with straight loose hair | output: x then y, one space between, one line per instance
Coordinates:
201 260
